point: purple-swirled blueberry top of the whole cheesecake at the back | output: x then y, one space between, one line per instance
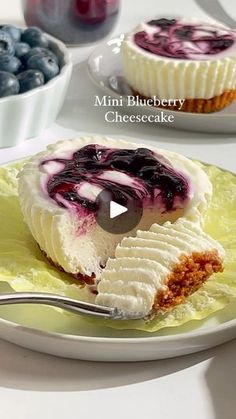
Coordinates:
177 39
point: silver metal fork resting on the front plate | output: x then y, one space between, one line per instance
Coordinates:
69 304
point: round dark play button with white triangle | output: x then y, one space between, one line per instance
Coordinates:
116 218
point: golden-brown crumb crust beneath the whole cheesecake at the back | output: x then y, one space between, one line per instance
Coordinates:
213 104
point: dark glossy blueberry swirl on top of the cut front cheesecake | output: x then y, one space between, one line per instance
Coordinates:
127 174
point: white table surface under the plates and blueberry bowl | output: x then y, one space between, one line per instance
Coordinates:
36 386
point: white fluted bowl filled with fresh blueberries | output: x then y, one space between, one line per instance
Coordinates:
35 70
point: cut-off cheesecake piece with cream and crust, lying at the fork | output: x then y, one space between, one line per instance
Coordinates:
158 269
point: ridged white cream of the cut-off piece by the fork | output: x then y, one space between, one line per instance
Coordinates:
133 279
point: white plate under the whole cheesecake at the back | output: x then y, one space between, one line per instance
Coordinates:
105 69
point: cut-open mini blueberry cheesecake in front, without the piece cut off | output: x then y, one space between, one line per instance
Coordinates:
58 190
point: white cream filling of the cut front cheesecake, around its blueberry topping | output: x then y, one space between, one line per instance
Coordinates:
55 228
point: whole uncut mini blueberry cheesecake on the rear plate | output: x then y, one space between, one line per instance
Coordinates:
182 59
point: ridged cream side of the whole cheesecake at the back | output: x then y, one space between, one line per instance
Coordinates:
168 78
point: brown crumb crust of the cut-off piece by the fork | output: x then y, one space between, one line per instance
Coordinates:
187 277
